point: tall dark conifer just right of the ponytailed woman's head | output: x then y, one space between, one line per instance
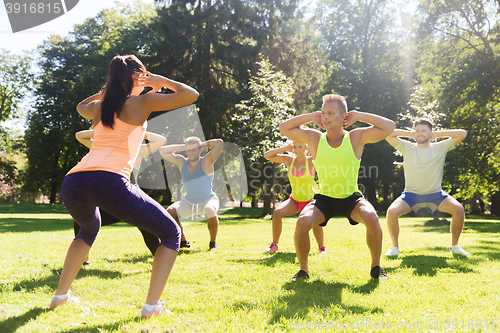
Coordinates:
211 45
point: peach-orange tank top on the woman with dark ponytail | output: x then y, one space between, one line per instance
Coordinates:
113 149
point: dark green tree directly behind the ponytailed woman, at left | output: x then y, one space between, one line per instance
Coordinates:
72 68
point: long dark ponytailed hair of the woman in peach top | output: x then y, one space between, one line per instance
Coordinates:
118 87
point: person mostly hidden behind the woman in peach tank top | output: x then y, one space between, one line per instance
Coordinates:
155 141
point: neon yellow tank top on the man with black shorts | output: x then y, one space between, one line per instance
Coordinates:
337 168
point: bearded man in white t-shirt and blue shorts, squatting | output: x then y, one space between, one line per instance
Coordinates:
423 163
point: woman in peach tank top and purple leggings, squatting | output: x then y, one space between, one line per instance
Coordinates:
102 177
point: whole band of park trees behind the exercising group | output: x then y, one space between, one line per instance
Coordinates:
256 63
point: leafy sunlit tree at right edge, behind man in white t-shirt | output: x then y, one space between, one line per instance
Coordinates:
459 73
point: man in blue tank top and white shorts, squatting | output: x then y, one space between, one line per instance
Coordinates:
197 175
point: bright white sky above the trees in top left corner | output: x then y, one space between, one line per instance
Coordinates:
31 38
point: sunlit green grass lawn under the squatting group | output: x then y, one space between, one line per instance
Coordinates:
239 288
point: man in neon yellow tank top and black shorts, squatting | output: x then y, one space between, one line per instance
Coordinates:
337 155
